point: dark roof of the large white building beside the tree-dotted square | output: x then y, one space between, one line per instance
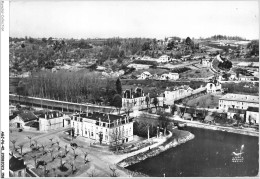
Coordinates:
104 117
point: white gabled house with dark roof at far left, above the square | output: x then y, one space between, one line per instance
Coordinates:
24 120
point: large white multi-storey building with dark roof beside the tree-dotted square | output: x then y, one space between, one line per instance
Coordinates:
109 128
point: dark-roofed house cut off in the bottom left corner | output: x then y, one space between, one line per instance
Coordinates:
17 167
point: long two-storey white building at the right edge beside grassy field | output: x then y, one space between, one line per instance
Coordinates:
238 101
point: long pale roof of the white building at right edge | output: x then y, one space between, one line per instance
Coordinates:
240 97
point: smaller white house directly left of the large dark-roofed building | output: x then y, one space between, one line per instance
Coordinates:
51 120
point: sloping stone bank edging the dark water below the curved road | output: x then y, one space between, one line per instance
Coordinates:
169 143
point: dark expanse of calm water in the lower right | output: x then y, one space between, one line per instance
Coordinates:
209 154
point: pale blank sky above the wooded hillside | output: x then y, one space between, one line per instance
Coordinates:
126 19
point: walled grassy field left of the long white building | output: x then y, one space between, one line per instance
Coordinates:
205 101
